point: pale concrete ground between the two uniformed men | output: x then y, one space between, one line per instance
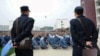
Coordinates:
53 52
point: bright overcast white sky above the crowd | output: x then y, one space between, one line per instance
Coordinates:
53 9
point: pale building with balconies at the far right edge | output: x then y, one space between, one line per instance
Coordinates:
97 6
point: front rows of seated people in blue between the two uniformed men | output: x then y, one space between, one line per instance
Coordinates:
54 40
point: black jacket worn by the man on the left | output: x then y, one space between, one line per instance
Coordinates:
25 25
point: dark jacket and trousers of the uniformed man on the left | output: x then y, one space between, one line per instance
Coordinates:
25 25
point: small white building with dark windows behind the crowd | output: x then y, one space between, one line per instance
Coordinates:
62 23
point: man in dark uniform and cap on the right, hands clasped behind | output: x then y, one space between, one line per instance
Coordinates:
80 40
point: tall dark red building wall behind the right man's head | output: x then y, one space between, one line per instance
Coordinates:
89 7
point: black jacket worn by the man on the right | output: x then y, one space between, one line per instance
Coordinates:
77 32
